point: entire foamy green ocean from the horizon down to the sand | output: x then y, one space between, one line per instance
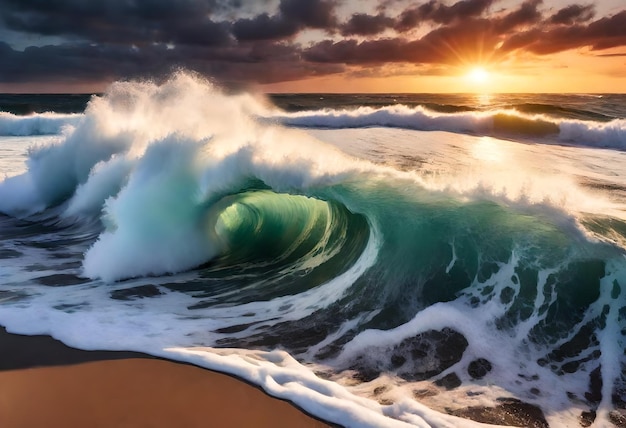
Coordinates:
379 260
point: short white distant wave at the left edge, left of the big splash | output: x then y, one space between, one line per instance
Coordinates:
36 124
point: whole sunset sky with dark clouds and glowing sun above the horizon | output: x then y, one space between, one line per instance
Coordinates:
317 45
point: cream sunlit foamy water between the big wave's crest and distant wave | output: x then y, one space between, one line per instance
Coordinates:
546 179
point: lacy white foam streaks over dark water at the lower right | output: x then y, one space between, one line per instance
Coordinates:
503 348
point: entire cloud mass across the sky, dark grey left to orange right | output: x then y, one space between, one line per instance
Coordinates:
256 41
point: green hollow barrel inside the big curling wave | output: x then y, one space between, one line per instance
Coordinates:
280 243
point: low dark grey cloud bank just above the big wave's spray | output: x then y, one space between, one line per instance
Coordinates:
261 63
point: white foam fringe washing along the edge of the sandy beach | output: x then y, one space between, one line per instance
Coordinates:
107 324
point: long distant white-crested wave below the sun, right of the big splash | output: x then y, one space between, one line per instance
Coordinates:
499 123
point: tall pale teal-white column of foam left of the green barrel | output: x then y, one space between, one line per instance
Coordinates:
153 223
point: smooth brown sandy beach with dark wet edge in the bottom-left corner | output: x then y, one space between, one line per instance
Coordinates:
44 383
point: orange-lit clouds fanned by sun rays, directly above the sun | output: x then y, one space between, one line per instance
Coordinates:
478 39
